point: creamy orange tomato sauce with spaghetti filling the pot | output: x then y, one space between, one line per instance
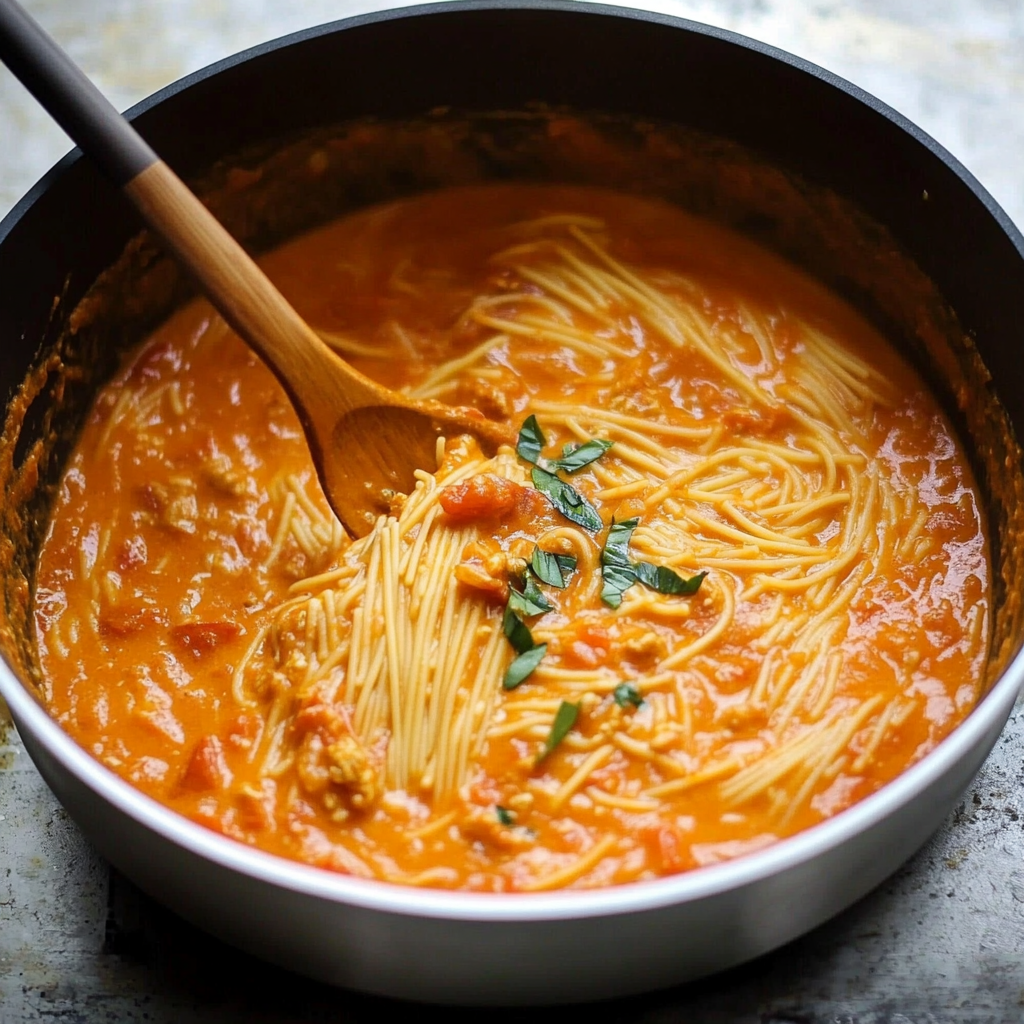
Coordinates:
763 435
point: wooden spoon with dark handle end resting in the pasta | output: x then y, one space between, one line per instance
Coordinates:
367 442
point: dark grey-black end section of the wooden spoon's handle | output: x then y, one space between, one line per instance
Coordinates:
71 99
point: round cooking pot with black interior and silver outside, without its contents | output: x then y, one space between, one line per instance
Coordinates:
327 120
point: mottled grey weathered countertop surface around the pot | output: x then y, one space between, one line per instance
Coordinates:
943 943
